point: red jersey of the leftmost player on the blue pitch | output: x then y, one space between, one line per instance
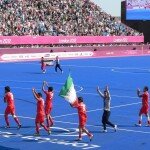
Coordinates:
9 98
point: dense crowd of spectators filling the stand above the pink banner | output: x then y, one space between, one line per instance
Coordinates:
58 17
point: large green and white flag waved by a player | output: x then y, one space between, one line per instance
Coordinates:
68 91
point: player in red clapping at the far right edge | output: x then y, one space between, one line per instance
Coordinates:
145 105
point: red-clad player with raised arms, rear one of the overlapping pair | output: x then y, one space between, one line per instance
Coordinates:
48 103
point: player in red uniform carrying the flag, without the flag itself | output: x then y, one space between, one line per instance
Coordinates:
81 107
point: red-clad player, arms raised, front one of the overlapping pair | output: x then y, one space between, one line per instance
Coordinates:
40 116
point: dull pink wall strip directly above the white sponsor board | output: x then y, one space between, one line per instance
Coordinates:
68 49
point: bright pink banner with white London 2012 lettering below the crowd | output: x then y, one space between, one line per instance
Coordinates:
18 40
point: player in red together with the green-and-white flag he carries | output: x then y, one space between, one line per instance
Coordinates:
68 92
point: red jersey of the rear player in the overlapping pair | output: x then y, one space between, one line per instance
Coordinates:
49 98
